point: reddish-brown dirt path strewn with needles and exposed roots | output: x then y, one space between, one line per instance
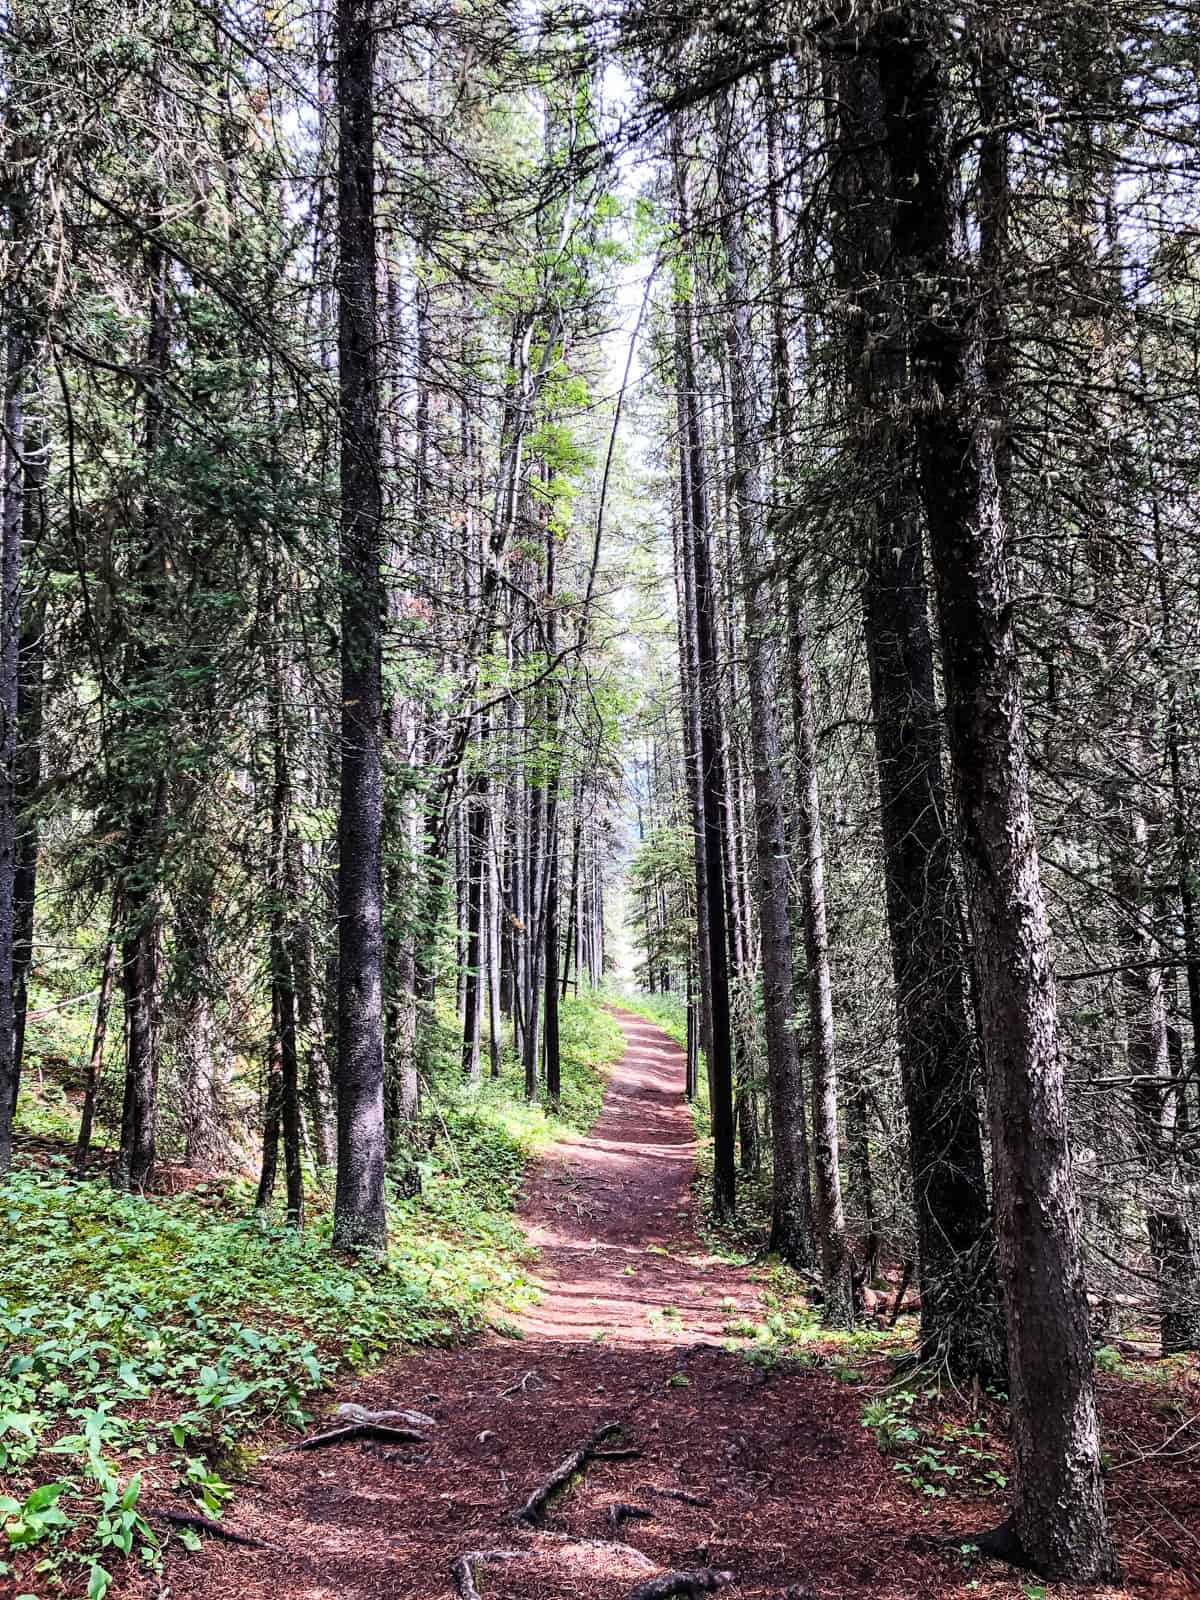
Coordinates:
798 1500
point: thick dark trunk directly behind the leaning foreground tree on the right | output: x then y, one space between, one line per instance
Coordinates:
961 1310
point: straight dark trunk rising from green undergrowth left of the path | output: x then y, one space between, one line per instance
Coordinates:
361 1217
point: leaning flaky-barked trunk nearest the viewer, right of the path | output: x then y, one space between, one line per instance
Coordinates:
1058 1518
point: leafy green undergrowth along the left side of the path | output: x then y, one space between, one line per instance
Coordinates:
146 1342
